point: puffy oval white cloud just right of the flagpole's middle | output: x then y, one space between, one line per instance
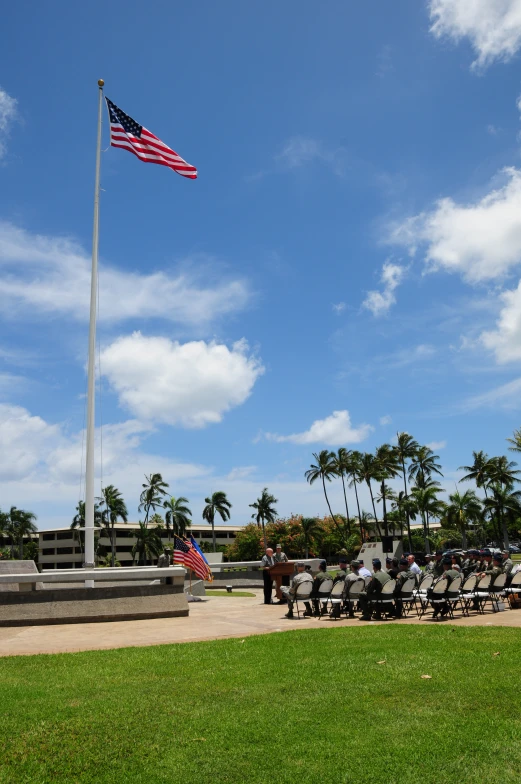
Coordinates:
191 384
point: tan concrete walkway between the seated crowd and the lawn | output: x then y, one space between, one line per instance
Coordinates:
217 618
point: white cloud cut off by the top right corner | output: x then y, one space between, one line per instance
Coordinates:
493 27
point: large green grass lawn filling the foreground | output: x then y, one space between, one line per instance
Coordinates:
294 708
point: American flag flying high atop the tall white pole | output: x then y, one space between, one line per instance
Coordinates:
129 135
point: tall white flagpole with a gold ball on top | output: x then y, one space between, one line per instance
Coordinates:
91 383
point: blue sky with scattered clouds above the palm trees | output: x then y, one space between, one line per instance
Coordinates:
347 264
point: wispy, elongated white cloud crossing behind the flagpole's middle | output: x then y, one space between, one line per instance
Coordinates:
52 275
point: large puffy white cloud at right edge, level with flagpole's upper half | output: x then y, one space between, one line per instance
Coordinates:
480 240
